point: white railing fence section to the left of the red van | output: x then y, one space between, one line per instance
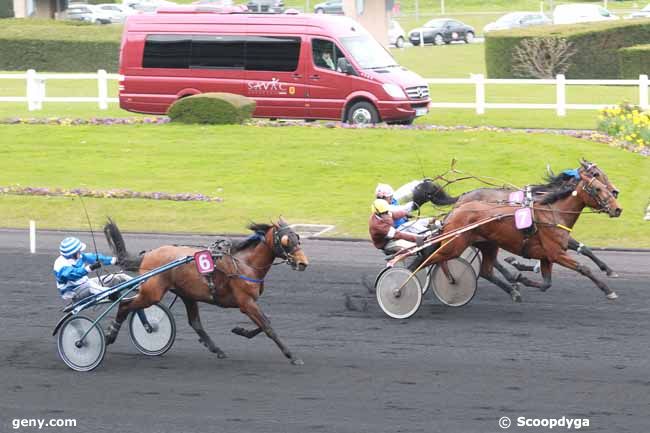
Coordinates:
35 84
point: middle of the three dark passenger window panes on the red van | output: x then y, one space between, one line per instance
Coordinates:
217 52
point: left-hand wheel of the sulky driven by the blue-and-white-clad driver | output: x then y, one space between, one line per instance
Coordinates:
78 354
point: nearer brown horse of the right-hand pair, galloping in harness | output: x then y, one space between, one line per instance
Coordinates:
555 216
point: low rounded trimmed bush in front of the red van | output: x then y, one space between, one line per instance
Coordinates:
212 108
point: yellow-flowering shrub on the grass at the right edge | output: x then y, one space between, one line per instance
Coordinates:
627 123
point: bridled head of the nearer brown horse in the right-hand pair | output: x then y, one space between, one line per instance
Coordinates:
597 191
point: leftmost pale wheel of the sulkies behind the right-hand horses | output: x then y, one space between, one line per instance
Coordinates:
398 293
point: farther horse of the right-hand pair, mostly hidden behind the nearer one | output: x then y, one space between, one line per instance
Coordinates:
429 191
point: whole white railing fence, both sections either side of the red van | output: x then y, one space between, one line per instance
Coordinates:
36 91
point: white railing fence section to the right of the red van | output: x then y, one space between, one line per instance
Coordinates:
560 82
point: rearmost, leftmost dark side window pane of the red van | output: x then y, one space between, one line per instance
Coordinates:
167 51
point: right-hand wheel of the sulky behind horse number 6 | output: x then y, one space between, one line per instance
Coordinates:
152 330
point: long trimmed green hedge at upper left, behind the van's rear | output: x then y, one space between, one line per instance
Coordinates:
58 46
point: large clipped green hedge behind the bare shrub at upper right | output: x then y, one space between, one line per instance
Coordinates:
597 46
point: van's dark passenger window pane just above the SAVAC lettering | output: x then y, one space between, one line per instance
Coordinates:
272 53
